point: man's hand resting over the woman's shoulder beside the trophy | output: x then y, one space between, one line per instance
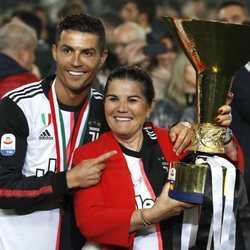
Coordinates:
180 136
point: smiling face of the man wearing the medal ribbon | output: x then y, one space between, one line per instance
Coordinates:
78 60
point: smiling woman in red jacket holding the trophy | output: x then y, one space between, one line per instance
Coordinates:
130 207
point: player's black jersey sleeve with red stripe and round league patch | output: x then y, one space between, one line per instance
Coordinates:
16 190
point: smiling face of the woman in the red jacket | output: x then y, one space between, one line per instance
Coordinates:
126 108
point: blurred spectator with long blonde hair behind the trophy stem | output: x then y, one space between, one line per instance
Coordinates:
178 103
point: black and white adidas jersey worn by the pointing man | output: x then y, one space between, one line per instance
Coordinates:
30 190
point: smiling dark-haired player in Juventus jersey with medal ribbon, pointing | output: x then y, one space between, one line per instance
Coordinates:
40 126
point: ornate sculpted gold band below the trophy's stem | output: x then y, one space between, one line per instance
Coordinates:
207 138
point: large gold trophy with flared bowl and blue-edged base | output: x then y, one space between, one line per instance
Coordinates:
216 50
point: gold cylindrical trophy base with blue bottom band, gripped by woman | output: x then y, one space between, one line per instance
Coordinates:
187 181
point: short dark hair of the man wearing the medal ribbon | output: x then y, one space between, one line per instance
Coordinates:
83 23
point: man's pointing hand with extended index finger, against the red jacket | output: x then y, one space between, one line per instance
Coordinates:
88 172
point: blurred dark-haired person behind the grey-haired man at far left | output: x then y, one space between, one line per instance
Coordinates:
44 58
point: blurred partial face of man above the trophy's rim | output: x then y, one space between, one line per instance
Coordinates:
232 14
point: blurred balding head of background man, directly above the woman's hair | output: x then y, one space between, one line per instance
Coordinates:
127 34
